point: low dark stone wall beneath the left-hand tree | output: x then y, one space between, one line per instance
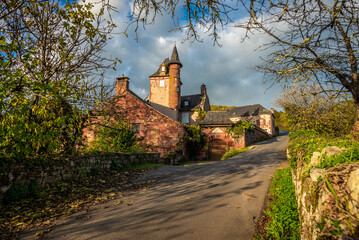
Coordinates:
72 167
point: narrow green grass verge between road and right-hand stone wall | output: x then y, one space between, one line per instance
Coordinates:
281 220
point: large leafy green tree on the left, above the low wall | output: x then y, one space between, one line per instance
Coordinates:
49 53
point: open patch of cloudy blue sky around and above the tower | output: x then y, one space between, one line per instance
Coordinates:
226 71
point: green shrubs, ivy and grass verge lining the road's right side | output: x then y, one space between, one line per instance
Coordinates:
315 120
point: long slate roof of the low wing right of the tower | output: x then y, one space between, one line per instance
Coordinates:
224 117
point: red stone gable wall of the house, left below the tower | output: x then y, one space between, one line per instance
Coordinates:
160 133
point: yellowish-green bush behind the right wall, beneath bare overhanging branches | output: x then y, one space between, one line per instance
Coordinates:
306 107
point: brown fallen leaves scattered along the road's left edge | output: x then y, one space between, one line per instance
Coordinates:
63 199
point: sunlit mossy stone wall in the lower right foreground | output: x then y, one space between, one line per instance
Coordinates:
328 200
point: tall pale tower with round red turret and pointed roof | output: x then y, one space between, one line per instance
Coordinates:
165 86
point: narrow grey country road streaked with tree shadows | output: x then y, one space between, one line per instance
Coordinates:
218 200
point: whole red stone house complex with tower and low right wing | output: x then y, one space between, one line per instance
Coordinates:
158 118
